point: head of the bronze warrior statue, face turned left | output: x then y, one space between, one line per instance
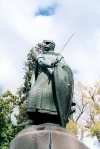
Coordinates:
48 45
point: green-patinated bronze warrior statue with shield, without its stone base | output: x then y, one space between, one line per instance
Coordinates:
50 97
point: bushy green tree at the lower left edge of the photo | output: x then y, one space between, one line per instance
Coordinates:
7 130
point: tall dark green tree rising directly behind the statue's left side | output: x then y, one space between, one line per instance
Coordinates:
23 91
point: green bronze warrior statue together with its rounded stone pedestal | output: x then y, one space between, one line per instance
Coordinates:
49 104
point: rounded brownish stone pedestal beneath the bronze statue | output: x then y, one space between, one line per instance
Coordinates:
46 137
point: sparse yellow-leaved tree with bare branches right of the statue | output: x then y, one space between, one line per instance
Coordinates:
87 100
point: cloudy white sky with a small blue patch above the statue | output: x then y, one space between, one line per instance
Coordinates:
24 23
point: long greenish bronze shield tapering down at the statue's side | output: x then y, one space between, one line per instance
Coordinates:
64 83
